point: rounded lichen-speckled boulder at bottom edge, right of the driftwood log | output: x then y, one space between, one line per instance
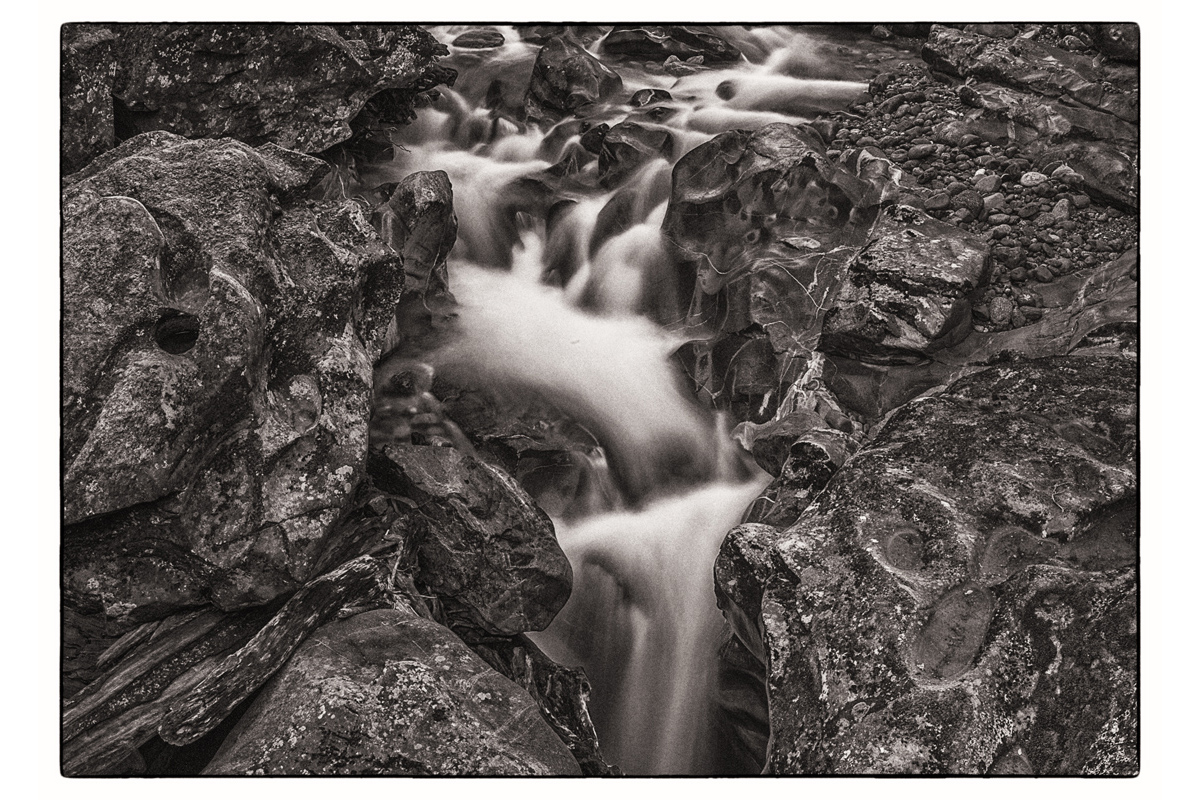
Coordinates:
387 693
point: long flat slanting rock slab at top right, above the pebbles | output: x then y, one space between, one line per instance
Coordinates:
1031 67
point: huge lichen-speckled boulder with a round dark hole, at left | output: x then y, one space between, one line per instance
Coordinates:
219 334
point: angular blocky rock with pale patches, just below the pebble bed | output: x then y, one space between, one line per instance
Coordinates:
908 292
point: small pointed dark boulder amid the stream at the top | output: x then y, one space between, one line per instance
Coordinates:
566 80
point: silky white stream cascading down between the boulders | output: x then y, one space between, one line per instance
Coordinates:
568 293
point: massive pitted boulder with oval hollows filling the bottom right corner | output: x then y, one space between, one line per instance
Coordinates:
963 587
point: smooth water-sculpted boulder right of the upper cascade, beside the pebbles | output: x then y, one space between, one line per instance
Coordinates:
771 226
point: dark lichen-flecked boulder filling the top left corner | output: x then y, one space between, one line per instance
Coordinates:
293 86
